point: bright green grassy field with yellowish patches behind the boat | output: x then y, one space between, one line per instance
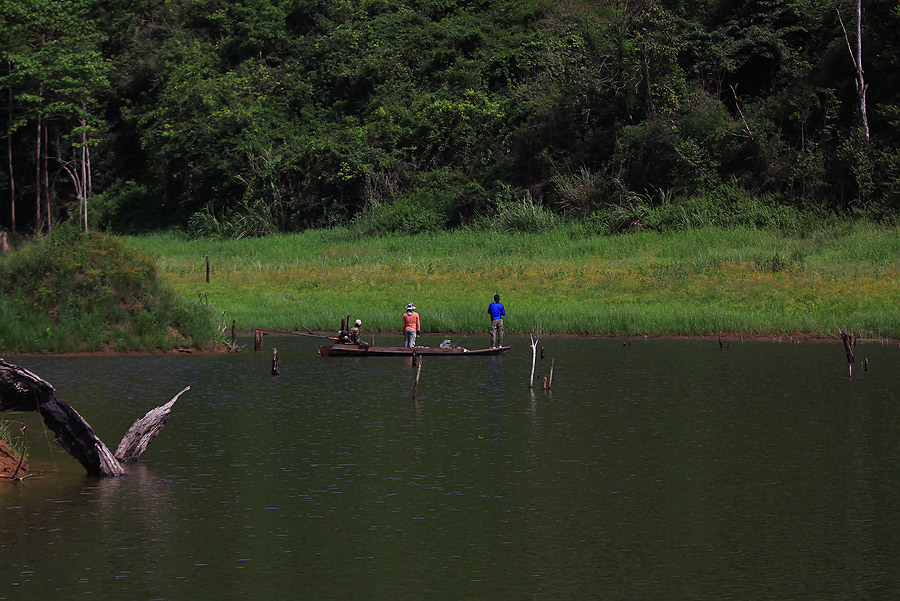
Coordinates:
702 282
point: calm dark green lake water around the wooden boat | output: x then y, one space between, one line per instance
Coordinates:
655 469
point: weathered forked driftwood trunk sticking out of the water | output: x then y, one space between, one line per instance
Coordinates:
22 390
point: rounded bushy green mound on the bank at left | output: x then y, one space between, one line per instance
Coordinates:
77 292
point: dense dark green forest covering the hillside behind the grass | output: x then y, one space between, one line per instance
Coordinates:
249 117
